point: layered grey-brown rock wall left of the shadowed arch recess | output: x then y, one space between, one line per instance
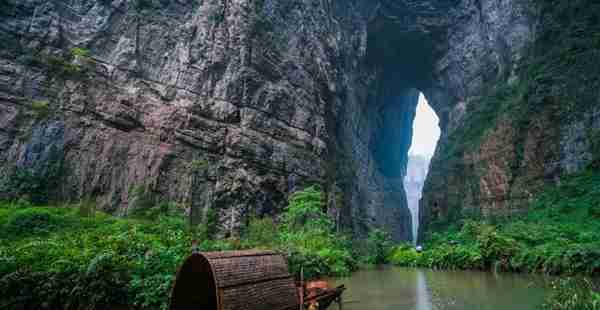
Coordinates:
140 96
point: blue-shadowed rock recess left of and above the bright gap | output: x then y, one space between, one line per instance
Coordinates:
374 126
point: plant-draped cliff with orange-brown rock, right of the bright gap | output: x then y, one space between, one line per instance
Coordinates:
526 128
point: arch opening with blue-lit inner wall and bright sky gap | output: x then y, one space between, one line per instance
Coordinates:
405 131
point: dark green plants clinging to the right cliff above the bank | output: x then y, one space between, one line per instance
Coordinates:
554 83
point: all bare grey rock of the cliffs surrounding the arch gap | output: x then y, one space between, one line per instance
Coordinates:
230 105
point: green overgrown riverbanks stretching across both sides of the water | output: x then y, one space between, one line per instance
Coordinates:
73 257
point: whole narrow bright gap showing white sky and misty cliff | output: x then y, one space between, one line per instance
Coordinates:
425 136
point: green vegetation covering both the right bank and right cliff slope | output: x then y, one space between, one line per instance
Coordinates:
561 232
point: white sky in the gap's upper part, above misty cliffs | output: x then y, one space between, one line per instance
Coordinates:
426 130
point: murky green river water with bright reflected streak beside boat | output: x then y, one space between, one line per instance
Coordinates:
415 289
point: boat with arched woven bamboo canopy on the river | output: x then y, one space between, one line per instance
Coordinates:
244 280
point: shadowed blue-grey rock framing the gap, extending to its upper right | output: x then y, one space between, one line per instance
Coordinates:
449 50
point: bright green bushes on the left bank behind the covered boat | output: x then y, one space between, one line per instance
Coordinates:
77 258
